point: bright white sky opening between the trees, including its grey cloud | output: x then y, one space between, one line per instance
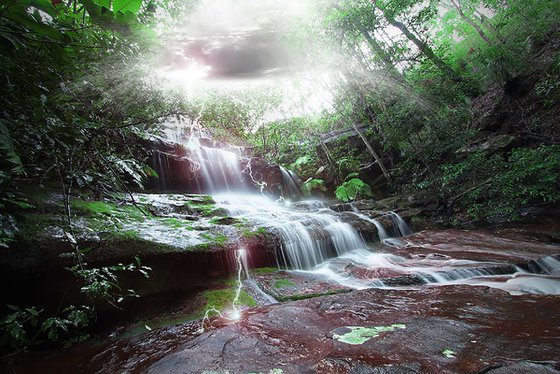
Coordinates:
230 45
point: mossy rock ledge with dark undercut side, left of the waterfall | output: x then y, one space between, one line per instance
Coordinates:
187 244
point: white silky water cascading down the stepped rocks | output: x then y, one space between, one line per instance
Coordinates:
317 241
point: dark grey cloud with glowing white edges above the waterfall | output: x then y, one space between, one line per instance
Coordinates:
243 41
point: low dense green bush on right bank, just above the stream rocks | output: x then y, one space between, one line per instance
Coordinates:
498 187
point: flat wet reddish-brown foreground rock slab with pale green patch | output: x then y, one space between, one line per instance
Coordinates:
448 329
